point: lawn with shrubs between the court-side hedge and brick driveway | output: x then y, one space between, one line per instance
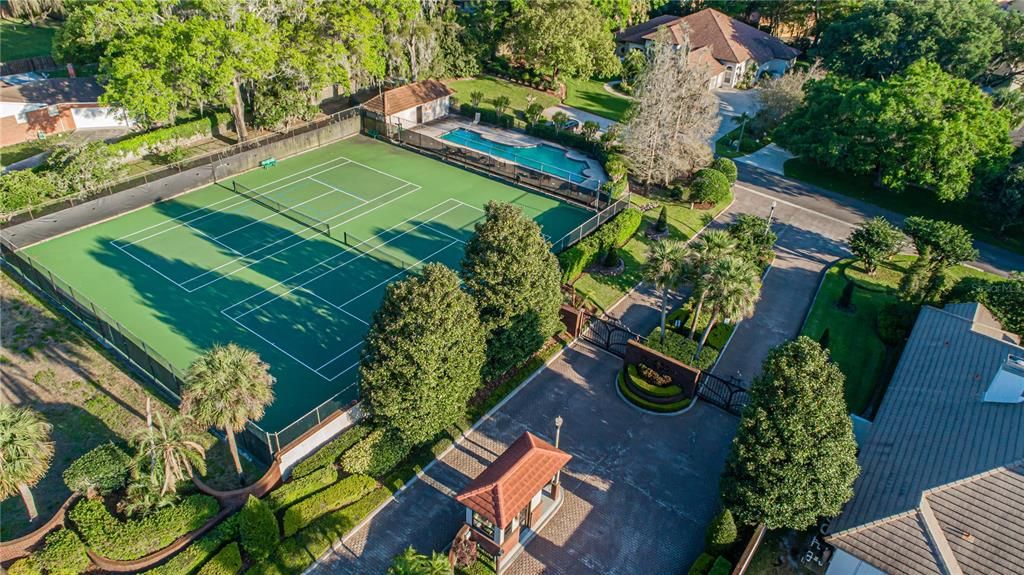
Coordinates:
605 291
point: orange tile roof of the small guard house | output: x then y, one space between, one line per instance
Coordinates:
513 480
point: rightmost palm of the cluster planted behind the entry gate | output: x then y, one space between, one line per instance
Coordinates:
734 291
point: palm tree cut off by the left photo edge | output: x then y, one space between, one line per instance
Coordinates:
26 452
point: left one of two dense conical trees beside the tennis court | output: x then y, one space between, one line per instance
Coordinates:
423 356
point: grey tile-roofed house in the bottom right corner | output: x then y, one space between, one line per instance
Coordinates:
942 490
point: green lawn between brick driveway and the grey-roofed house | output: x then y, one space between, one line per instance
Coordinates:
854 342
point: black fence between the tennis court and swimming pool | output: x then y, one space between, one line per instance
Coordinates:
511 172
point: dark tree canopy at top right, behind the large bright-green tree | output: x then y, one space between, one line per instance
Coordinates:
884 38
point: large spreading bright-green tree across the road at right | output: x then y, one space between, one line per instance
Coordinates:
922 128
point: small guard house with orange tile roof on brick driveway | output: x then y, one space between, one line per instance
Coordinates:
513 500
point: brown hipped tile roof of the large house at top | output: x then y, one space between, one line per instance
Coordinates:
730 39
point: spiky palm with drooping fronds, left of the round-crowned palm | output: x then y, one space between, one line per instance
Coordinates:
172 452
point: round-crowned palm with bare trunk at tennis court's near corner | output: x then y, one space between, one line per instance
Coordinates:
226 388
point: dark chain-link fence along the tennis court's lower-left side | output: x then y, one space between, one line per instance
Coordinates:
129 347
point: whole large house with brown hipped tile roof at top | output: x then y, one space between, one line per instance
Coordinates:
736 48
